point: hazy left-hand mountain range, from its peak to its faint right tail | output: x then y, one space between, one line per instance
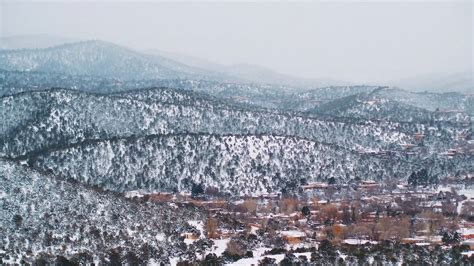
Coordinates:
99 58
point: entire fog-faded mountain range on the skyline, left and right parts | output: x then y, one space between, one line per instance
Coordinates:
157 64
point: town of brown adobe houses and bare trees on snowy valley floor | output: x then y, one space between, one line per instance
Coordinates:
272 228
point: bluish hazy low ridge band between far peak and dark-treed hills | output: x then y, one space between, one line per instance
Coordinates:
267 96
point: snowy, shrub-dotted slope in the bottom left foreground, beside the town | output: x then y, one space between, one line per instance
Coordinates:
43 217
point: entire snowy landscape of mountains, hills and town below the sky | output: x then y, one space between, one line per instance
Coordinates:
109 155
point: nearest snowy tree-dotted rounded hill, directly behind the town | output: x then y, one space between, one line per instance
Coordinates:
242 165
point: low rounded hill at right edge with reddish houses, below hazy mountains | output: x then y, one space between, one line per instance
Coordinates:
383 105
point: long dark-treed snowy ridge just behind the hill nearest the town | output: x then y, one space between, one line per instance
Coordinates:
41 119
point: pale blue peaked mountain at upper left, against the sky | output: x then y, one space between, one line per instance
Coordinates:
99 58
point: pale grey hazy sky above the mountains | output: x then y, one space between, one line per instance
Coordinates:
354 41
